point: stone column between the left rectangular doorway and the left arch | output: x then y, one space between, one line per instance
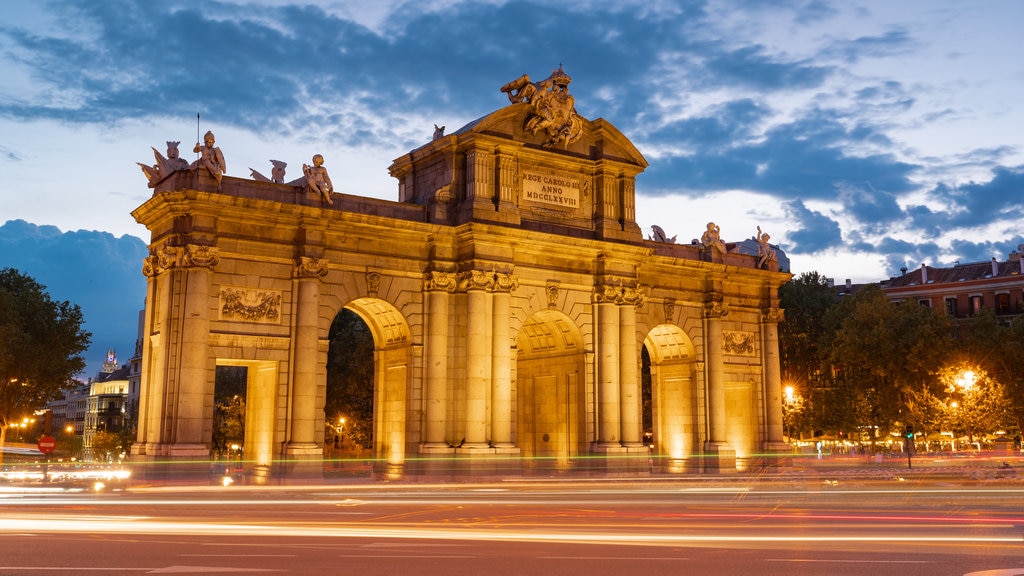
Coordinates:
303 437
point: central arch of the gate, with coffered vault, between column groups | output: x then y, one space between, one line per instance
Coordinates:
551 401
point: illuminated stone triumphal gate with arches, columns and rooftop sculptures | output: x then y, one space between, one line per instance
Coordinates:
509 293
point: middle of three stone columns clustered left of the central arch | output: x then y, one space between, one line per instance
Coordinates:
478 361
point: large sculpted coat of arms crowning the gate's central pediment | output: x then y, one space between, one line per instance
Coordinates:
553 109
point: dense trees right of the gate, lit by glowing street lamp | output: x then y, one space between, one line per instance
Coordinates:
861 363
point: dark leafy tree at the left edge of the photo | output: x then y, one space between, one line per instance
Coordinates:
41 344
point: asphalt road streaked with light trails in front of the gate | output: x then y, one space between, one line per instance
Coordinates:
595 528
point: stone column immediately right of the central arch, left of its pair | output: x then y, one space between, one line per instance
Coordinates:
609 433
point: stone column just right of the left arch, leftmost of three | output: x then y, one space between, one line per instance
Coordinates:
438 286
